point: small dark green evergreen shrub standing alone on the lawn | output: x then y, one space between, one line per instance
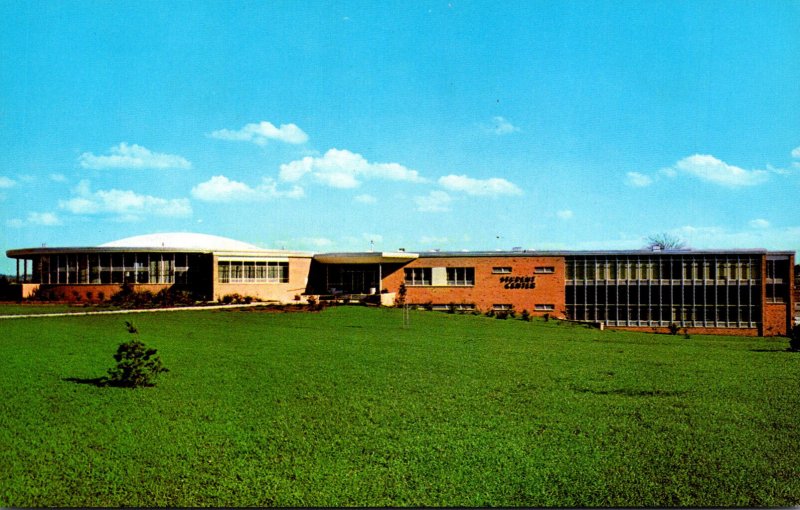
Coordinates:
137 364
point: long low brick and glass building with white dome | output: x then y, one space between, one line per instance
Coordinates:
746 292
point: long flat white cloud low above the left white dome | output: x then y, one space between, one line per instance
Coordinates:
123 203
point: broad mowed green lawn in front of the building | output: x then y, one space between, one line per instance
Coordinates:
346 407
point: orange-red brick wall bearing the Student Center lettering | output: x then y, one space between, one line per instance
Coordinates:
489 289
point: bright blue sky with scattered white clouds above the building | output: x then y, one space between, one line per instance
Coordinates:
323 126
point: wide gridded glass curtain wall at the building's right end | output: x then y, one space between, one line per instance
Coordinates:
688 290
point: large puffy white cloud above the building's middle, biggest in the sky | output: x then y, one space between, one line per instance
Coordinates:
344 169
